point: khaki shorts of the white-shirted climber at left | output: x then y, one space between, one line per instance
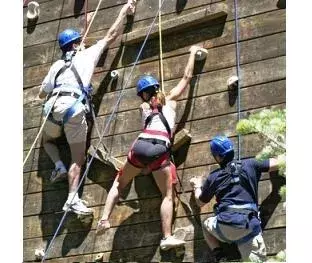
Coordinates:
76 129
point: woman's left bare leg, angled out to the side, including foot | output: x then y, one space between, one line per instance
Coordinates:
120 182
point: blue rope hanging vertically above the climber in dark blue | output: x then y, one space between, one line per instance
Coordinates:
237 52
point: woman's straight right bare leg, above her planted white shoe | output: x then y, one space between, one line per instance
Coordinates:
164 183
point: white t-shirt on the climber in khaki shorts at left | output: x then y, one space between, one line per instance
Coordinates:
85 62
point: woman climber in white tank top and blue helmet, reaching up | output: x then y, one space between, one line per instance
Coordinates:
151 150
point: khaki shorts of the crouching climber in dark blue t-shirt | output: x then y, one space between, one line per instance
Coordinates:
254 250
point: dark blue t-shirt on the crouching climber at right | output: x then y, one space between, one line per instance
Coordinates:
217 184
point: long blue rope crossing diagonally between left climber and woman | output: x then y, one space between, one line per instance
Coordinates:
104 132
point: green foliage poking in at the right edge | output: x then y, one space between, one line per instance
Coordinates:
271 127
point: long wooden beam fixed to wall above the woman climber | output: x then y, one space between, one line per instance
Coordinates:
175 25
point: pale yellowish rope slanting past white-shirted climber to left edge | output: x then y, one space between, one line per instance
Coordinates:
57 94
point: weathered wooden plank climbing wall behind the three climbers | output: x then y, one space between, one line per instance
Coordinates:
205 111
